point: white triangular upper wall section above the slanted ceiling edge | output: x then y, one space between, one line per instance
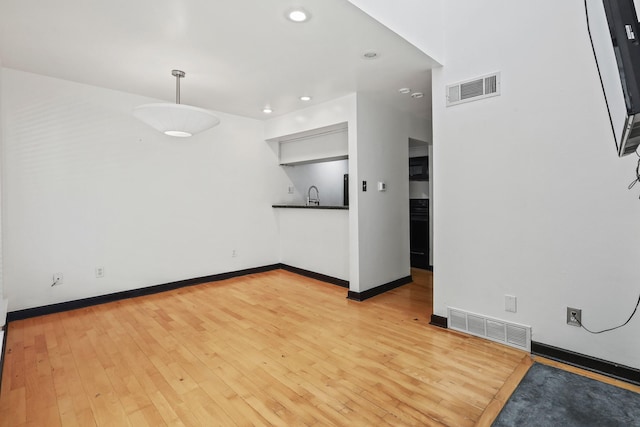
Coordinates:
418 21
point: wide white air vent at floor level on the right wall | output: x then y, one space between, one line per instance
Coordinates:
512 334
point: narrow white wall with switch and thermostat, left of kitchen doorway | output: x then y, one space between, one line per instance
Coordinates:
383 217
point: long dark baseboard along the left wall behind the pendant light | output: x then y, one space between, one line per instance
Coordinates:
101 299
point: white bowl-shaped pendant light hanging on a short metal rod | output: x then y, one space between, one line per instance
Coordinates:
176 119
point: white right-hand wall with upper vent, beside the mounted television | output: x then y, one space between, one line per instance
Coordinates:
531 199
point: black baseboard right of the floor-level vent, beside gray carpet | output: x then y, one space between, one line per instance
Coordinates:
610 369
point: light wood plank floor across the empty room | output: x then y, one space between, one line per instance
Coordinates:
273 348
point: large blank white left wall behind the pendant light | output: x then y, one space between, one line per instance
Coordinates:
86 185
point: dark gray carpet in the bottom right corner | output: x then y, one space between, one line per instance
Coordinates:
549 396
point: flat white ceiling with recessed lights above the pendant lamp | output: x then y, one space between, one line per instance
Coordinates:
238 55
